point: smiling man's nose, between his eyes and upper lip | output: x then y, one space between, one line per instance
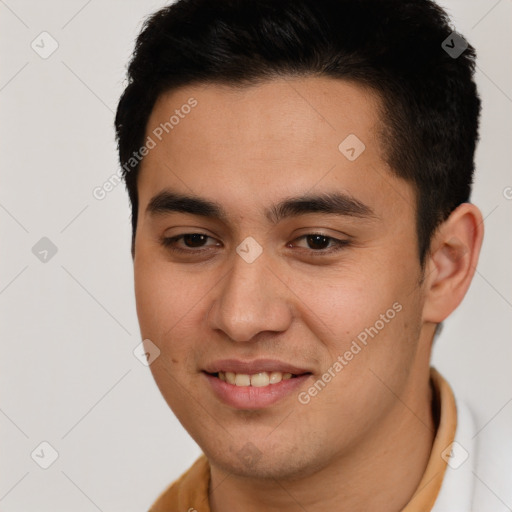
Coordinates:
251 299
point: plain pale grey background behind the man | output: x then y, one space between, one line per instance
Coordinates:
68 324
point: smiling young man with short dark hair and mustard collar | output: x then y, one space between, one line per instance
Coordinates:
300 174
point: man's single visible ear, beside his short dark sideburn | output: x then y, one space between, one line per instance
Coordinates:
452 261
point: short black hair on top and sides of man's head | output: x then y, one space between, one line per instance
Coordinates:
430 102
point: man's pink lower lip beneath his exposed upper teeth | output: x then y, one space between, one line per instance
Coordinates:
250 397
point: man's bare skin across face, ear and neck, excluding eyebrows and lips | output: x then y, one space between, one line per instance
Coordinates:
364 441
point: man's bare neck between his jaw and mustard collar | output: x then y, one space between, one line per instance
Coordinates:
381 473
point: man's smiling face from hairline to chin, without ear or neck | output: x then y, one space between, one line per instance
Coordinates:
270 241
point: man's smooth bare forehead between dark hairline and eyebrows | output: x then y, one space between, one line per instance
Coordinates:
285 137
